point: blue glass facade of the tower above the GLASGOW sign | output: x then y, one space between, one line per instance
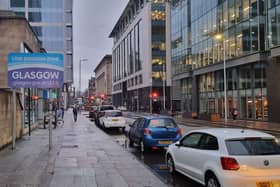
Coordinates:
51 20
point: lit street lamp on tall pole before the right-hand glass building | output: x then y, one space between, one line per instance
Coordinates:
220 37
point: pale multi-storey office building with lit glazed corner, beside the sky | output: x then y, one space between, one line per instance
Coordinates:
141 56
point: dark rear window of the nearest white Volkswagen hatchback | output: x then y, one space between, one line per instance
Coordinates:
253 146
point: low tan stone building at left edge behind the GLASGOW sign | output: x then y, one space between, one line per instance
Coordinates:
16 36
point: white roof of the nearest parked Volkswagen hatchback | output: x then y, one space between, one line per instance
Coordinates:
233 133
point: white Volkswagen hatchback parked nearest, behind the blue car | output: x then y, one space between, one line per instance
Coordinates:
224 157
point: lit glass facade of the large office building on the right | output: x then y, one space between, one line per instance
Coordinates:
242 25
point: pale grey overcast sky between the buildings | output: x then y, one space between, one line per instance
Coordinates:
93 20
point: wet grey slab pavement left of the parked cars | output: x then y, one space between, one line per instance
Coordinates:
82 156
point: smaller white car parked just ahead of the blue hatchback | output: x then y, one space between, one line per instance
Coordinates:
112 119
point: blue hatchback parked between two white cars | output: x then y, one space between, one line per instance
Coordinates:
153 132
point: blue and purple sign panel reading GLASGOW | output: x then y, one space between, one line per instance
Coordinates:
35 70
